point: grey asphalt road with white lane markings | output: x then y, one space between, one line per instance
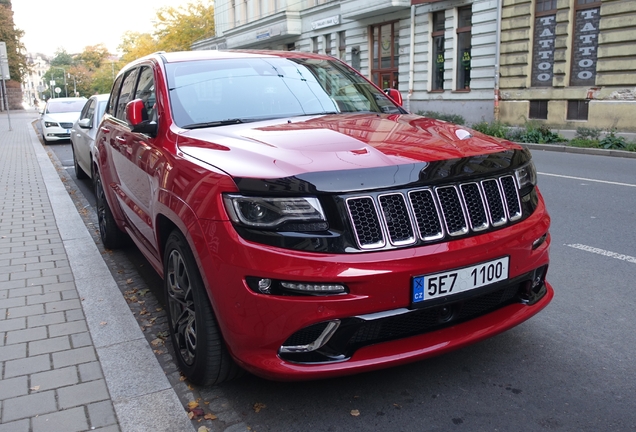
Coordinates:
570 368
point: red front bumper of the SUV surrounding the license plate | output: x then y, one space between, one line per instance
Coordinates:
258 327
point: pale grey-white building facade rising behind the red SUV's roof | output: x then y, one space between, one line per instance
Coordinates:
439 54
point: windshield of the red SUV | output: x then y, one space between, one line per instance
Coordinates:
211 92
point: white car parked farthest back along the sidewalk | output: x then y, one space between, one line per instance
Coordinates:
58 117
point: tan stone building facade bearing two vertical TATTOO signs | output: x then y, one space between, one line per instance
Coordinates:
569 63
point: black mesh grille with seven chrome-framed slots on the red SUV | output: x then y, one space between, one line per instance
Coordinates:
400 218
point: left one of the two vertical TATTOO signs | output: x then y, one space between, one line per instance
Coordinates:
543 53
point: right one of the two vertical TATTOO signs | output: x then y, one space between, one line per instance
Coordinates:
585 46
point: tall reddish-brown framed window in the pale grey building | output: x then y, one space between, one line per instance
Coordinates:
385 55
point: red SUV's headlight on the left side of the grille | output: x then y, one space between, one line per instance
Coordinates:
265 212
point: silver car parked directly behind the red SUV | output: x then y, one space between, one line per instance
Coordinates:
83 135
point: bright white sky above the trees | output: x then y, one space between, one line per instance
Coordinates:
49 25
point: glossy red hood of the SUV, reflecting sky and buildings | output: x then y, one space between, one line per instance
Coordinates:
343 149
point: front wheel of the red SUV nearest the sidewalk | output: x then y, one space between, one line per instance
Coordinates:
198 345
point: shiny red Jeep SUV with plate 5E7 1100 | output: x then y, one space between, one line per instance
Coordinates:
307 226
